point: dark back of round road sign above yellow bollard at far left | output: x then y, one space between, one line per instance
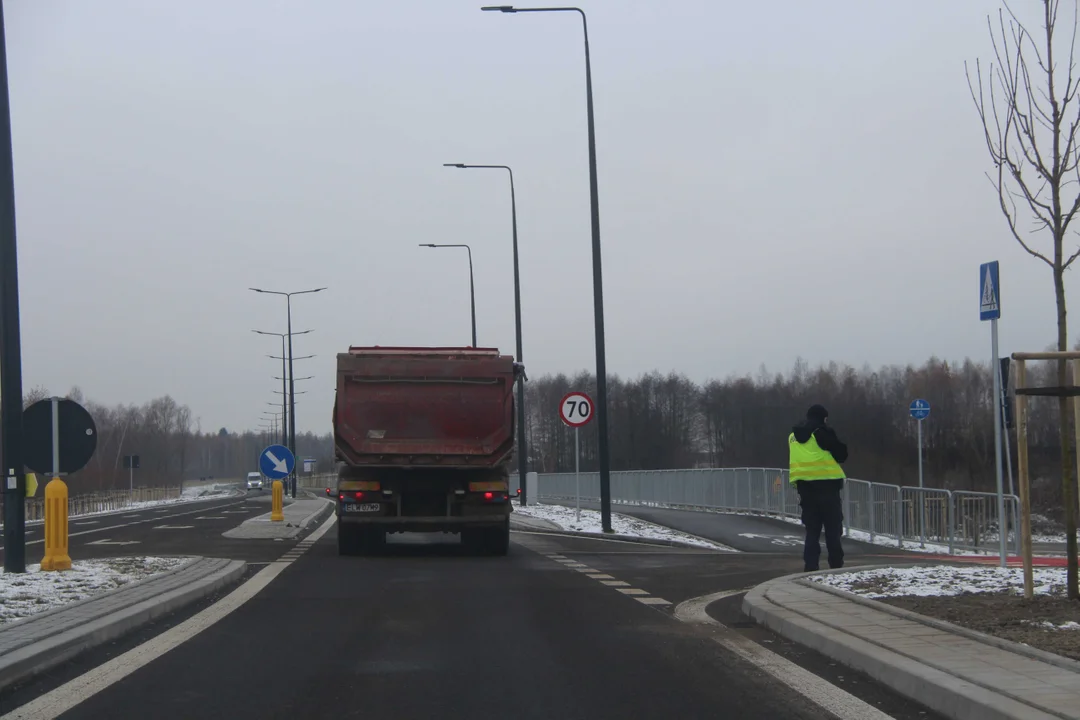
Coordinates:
78 437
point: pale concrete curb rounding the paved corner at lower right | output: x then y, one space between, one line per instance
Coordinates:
946 694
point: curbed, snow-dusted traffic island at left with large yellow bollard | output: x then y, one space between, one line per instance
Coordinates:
39 642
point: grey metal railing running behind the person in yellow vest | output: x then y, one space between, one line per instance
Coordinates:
875 512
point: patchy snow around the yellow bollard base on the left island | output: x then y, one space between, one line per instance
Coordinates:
28 594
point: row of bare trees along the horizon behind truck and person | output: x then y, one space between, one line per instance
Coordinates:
661 422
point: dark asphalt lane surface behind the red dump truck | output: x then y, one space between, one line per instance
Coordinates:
428 631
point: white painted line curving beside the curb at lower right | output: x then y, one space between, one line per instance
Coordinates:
841 703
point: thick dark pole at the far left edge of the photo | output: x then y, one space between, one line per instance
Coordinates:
11 348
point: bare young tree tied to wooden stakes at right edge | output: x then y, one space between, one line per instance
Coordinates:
1028 103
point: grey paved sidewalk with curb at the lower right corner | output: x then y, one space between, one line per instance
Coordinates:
960 673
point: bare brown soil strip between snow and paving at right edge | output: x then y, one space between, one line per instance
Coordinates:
1006 617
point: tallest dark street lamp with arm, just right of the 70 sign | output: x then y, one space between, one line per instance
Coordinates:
602 405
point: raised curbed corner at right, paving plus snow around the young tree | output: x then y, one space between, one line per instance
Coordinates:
956 671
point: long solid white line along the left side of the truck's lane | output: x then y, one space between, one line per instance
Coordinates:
60 701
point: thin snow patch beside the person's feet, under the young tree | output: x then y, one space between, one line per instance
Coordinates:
943 581
